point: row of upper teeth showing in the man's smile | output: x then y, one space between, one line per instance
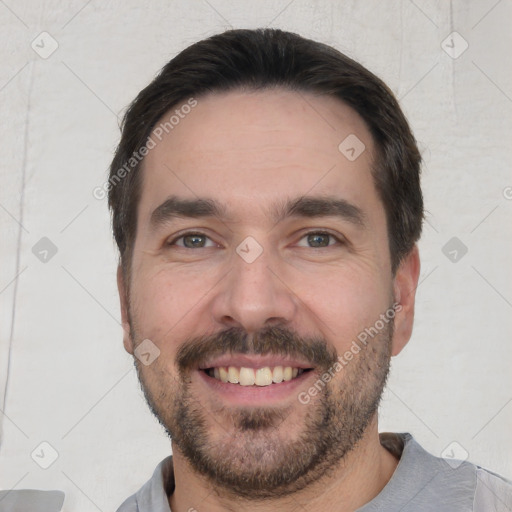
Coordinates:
250 376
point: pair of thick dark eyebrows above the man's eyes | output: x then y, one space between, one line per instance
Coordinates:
306 206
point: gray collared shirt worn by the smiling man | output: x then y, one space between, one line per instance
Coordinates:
420 483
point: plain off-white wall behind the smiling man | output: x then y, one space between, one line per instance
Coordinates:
64 376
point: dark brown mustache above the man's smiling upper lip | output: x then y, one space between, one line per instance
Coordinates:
275 340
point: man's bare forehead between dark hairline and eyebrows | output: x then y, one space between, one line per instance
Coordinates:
256 148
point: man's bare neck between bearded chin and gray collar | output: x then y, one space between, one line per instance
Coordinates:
355 481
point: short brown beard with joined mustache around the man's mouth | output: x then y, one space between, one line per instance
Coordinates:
251 456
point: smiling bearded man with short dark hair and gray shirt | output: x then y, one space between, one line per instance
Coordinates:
266 203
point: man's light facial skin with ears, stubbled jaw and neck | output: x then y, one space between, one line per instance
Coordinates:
250 152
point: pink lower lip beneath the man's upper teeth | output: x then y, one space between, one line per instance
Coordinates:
255 395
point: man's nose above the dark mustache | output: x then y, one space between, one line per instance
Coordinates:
254 295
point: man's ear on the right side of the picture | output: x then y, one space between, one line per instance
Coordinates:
405 284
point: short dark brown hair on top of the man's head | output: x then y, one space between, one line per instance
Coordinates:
269 58
